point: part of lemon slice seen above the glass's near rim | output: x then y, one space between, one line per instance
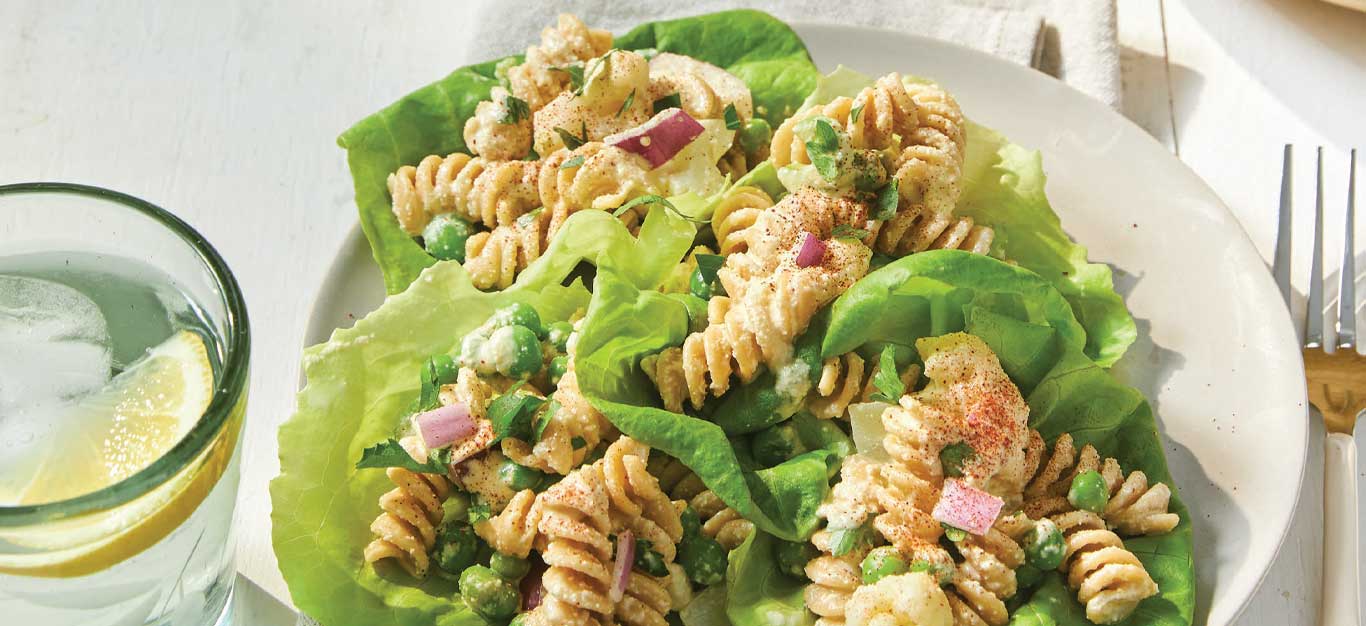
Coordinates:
129 424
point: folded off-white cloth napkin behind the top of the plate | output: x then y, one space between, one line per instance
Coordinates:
1072 40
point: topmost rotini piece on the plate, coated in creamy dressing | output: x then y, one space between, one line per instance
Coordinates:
568 43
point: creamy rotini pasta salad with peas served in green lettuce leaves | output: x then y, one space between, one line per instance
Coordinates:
684 331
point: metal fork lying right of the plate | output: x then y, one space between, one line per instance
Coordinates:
1338 389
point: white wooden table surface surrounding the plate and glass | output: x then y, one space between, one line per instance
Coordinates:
227 115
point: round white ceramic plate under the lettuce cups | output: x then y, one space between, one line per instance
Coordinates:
1216 353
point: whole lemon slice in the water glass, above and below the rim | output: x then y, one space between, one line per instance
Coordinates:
117 433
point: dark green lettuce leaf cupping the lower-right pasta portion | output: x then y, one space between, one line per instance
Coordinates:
1027 322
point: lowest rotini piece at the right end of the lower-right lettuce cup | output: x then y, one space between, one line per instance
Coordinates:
1107 577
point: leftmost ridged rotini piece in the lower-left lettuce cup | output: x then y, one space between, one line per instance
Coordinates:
406 531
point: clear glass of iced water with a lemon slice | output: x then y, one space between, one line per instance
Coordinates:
124 368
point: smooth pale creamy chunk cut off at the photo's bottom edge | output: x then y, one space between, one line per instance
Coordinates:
901 601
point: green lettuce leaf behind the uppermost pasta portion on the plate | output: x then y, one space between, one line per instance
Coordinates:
753 46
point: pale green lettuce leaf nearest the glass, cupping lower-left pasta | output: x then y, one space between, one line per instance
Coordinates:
360 385
